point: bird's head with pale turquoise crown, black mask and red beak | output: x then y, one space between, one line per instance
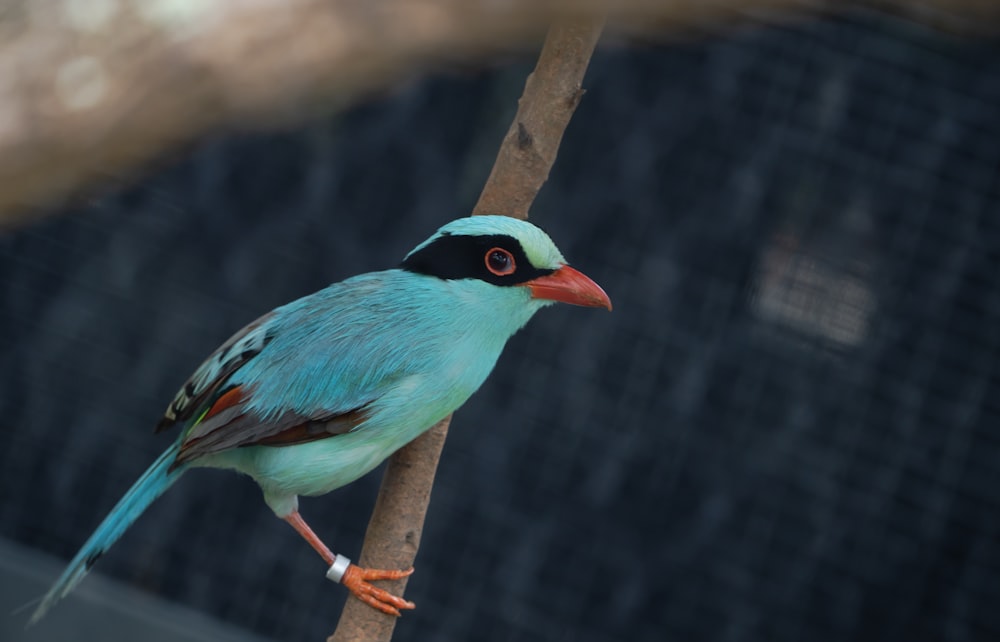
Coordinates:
505 252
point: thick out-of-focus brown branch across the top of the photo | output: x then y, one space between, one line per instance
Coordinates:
90 89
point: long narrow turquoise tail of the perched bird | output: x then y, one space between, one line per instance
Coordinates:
157 479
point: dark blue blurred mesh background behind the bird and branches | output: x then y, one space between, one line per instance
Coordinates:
786 430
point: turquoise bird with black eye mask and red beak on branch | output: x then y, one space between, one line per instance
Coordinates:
316 393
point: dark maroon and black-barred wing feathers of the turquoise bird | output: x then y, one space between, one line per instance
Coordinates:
217 413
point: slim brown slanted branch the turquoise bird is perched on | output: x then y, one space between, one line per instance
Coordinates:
551 94
